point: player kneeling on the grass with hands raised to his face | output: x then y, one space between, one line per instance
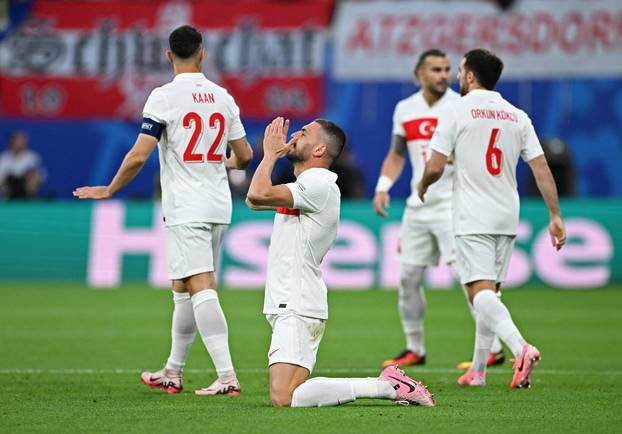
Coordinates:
305 226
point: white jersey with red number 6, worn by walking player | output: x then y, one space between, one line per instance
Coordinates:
486 135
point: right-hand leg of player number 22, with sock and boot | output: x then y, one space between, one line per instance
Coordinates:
212 326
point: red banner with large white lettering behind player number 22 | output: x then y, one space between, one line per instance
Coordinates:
84 59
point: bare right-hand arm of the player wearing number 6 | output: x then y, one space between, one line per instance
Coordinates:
546 185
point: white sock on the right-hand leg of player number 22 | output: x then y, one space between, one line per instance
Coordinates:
212 326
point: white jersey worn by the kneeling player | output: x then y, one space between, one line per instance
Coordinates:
300 238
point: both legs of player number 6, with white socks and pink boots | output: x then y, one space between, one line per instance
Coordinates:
497 319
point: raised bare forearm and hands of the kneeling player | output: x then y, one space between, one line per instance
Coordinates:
261 192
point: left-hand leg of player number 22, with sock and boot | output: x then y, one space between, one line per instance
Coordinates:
183 331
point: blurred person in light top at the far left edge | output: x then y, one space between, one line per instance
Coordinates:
21 171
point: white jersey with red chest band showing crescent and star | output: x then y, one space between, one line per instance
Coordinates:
415 120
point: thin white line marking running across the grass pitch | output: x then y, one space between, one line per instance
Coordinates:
86 371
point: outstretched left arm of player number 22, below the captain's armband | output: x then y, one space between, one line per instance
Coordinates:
132 164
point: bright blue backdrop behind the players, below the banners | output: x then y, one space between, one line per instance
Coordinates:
586 114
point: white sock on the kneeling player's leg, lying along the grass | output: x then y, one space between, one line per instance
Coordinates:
328 392
